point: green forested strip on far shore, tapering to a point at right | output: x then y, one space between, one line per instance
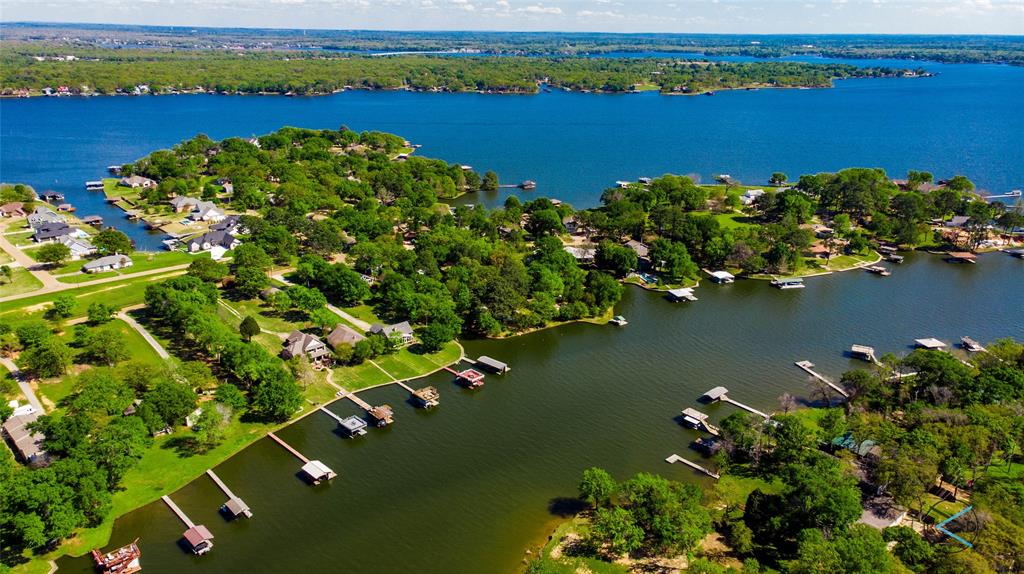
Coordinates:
111 72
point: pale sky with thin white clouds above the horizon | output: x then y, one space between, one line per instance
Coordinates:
742 17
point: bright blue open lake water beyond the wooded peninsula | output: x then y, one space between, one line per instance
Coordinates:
966 120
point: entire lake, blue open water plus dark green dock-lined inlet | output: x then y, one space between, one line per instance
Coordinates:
467 488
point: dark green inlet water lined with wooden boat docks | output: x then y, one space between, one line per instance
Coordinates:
470 487
